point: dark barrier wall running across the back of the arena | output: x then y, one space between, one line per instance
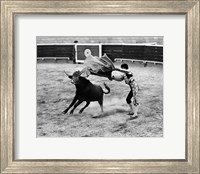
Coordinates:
138 52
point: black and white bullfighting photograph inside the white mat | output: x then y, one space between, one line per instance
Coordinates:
99 86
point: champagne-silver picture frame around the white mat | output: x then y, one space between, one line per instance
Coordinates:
10 8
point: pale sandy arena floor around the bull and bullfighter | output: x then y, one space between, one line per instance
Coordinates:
55 93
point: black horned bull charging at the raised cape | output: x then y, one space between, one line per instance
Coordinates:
85 91
